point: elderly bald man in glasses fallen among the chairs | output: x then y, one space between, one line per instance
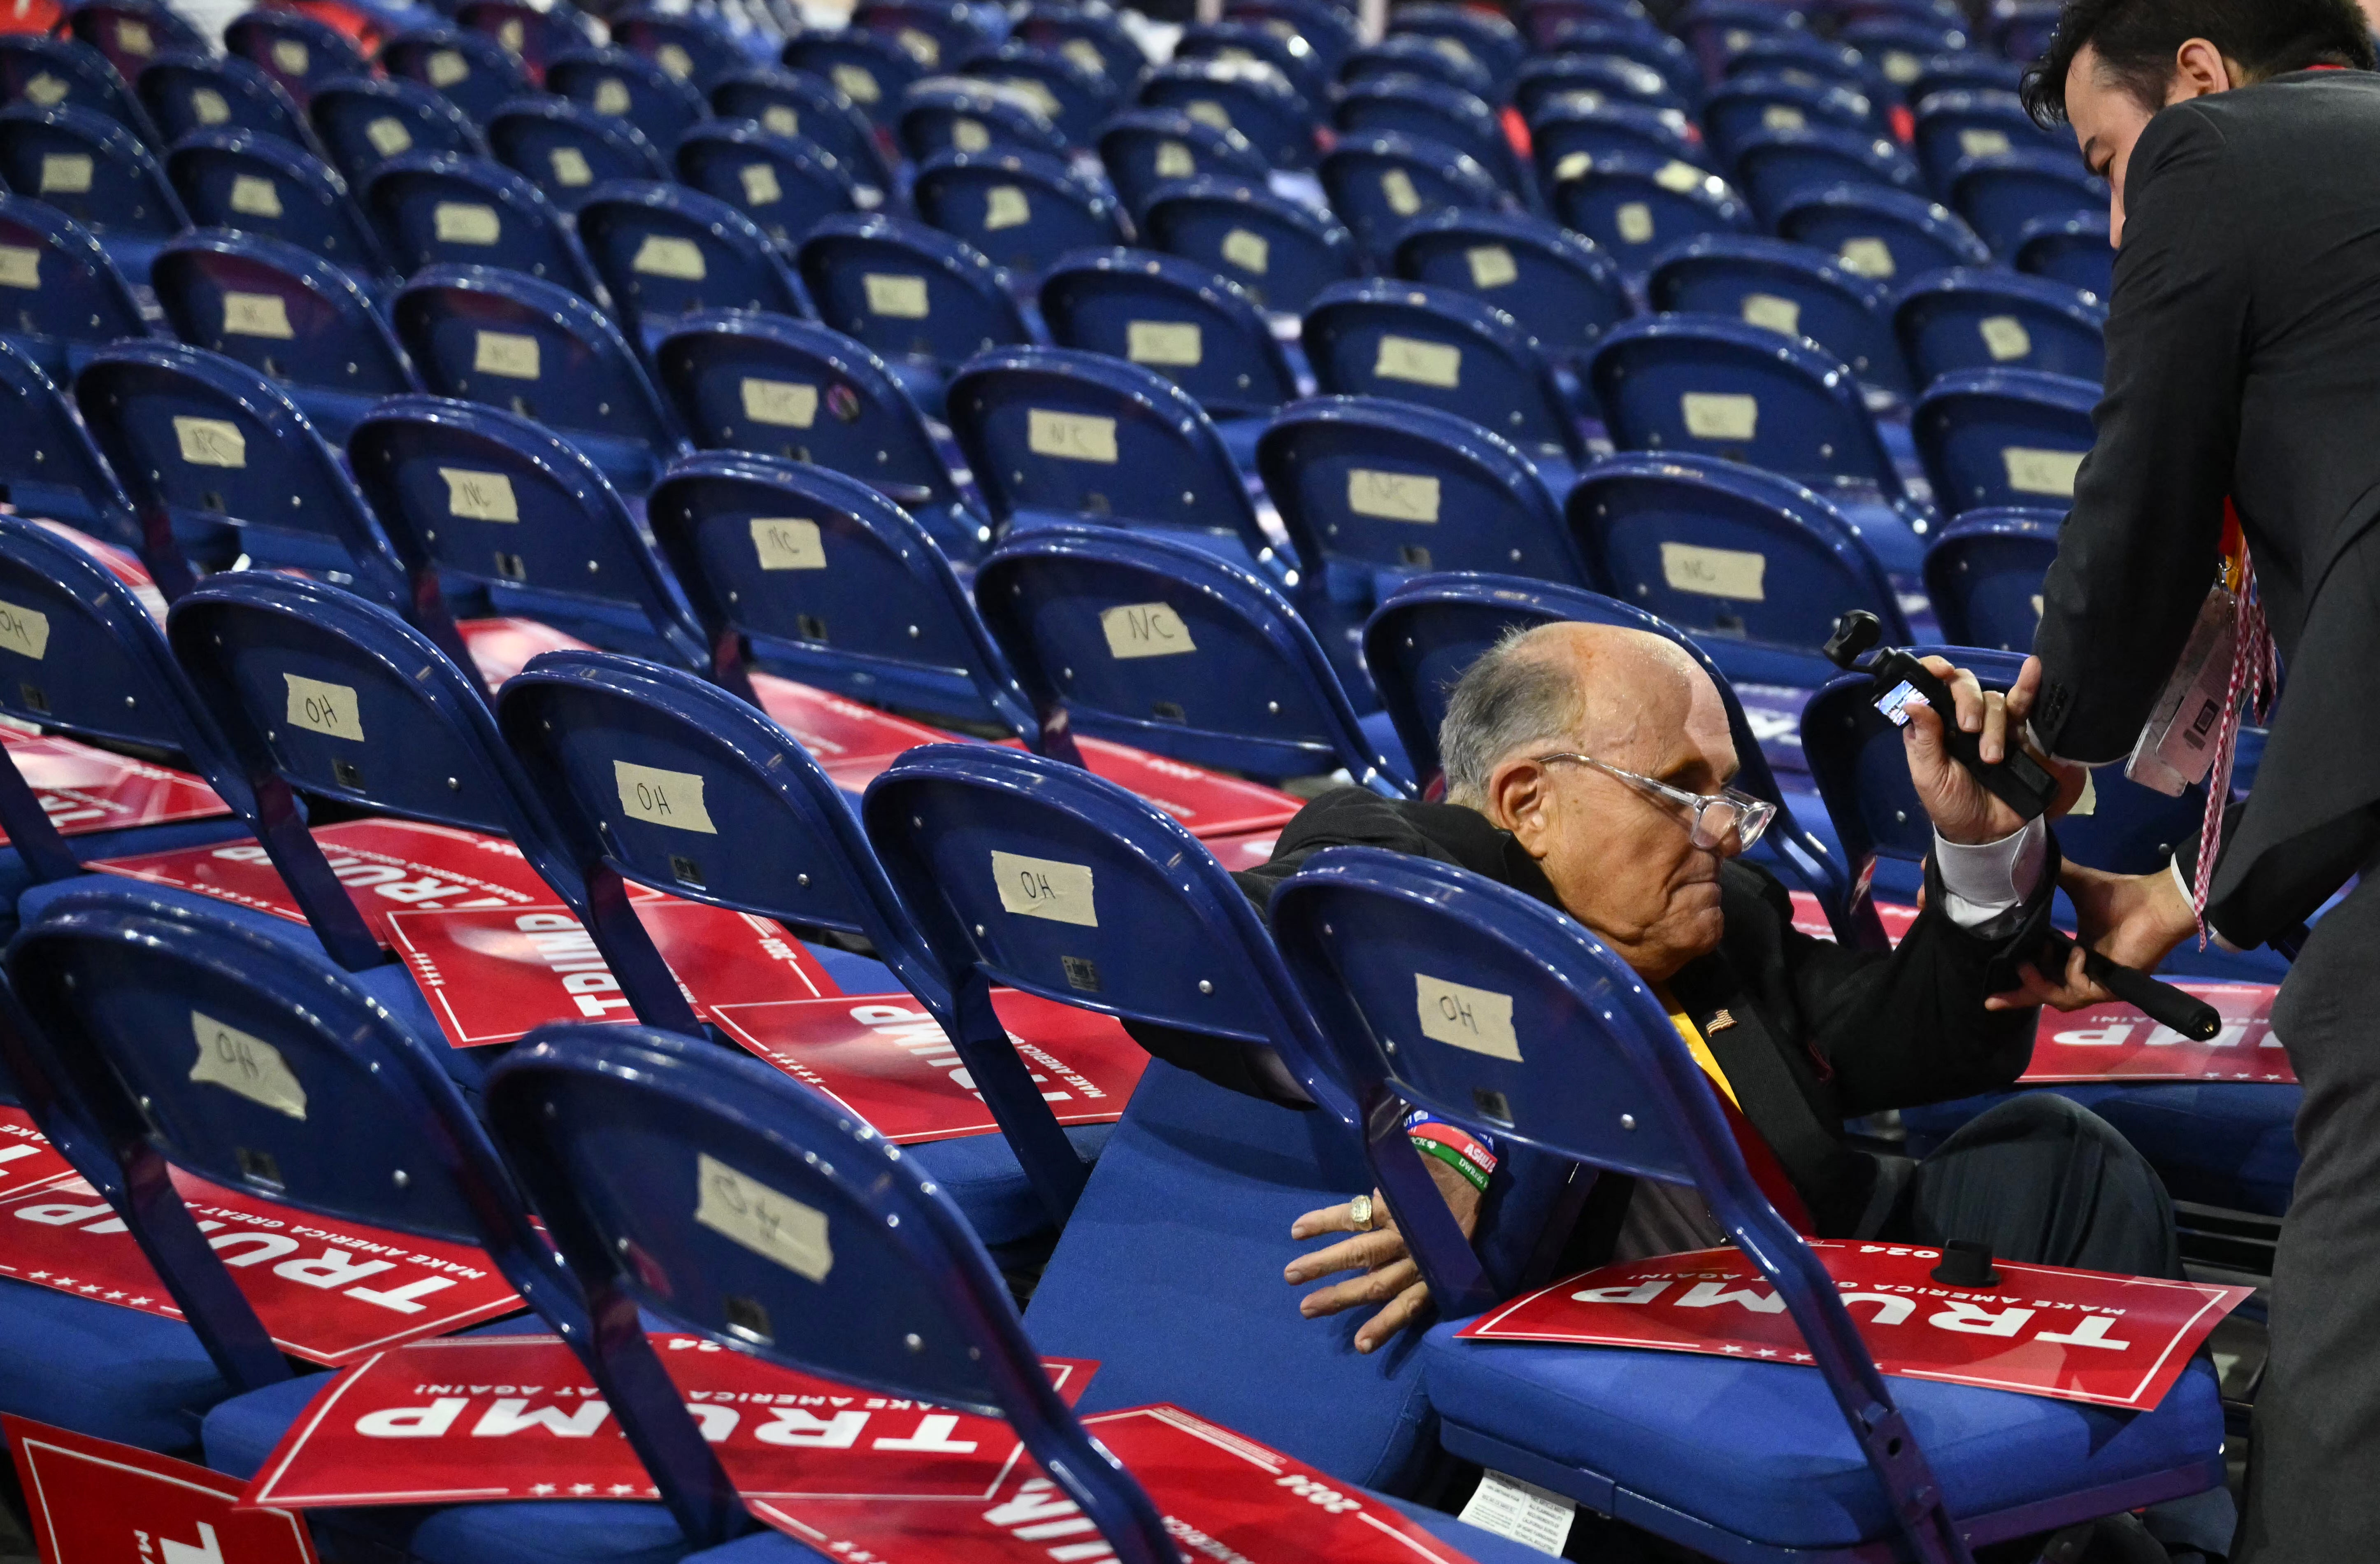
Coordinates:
1591 768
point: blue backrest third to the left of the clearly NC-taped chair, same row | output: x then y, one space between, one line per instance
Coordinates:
220 463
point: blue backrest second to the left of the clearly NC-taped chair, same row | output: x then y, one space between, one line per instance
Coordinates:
482 496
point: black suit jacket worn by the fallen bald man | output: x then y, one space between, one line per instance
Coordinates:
1820 1032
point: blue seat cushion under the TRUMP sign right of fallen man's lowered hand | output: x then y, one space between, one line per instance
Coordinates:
1762 1451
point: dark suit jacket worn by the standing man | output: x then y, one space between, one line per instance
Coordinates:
2243 358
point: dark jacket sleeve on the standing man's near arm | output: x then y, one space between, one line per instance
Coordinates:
2138 549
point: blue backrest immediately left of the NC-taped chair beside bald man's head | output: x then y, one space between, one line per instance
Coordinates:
825 580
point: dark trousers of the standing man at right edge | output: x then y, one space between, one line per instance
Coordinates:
2315 1463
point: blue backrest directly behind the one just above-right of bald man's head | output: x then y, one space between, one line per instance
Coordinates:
1720 387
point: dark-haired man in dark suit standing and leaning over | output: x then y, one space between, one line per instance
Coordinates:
2243 377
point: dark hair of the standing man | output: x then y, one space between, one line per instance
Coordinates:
2138 39
